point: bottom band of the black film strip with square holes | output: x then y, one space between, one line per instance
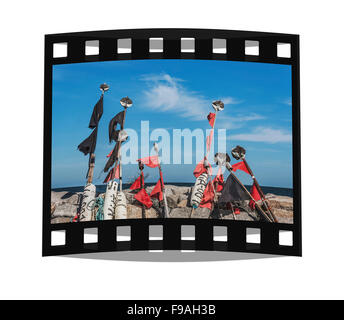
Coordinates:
174 234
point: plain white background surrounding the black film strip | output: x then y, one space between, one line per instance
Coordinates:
25 274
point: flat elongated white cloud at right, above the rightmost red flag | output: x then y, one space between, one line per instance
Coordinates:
262 134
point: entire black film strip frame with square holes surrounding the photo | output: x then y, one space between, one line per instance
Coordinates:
172 44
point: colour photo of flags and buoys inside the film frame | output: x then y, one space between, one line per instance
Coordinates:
163 139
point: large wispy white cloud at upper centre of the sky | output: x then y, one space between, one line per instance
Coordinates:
167 94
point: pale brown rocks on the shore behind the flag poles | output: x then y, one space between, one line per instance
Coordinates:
65 204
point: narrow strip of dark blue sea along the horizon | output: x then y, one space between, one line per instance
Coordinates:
101 188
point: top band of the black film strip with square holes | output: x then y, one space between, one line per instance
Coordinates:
171 44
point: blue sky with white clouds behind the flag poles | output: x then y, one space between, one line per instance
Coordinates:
174 94
